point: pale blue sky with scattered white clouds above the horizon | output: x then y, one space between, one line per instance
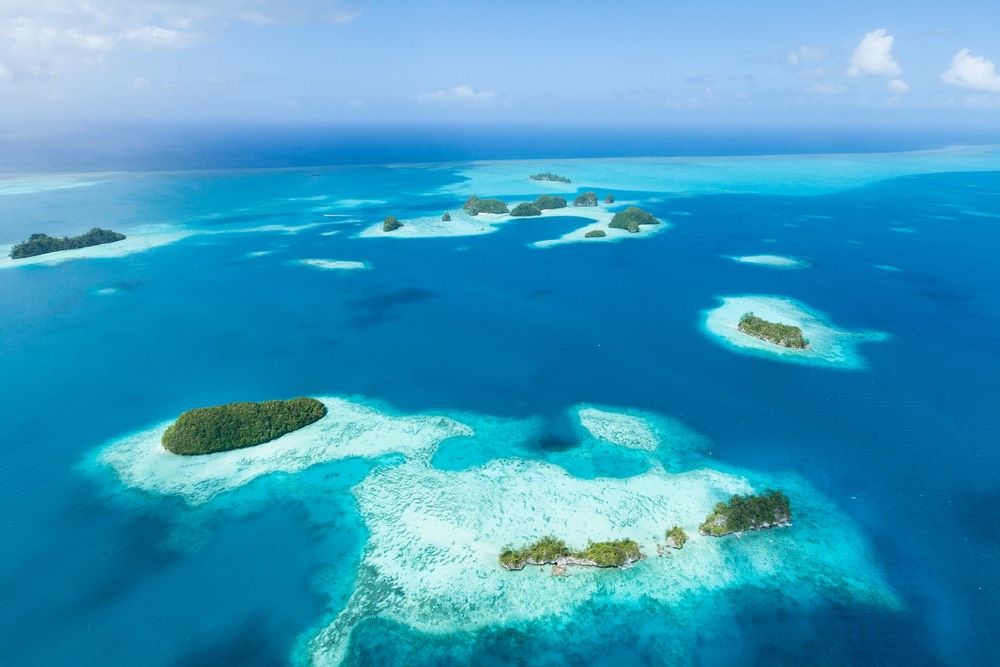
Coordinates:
724 62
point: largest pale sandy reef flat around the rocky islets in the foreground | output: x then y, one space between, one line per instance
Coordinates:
435 537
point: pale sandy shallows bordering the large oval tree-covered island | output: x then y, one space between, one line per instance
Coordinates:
348 430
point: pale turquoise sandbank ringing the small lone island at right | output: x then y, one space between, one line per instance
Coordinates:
828 345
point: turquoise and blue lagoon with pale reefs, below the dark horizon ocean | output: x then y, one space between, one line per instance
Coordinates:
492 380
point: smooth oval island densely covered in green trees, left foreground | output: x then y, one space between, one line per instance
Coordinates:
238 425
